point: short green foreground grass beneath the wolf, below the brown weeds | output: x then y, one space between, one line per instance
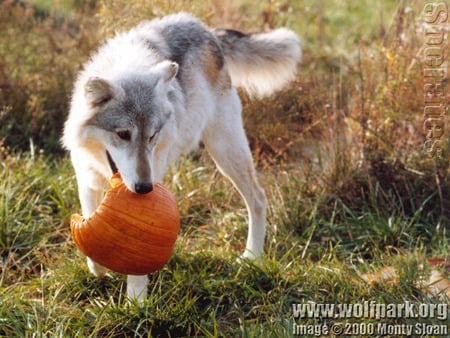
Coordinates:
46 290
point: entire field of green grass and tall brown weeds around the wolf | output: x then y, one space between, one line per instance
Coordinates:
339 153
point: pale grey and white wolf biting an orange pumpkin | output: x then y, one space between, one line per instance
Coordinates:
151 94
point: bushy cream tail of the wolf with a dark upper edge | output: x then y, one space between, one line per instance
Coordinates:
261 62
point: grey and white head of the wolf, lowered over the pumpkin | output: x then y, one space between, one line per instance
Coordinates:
130 114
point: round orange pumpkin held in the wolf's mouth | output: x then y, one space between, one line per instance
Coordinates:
129 233
